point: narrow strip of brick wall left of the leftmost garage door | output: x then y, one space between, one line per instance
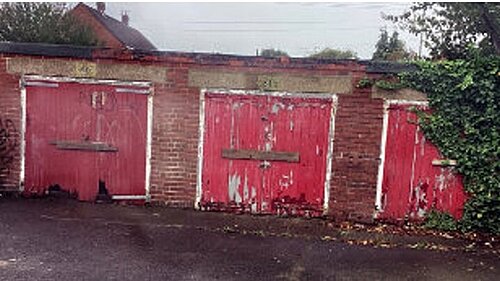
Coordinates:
10 129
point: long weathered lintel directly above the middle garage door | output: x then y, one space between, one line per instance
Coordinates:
294 83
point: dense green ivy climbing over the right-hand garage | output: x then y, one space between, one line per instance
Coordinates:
464 96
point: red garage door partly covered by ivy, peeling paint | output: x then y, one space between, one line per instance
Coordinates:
414 182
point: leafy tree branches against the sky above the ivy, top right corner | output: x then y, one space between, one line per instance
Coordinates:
449 29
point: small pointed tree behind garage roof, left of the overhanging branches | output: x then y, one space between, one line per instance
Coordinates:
390 48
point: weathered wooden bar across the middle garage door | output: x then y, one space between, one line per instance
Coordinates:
247 154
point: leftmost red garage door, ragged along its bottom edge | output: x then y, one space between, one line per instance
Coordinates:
85 138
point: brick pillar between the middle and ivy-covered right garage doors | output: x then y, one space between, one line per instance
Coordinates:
356 152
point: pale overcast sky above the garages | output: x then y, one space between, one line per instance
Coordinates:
300 29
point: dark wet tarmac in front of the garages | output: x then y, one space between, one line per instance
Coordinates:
53 239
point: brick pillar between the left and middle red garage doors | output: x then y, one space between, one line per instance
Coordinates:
175 141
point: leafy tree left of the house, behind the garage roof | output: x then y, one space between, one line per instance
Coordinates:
42 23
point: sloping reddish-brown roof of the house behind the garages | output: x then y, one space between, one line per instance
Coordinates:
128 36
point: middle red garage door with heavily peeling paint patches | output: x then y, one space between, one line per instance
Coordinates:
265 154
